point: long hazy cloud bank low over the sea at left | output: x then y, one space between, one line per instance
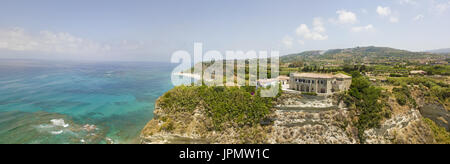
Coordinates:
62 43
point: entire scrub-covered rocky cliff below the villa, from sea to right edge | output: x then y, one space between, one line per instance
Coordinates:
402 110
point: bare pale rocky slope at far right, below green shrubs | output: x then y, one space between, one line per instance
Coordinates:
406 126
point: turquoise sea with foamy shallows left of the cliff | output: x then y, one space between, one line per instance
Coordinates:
69 102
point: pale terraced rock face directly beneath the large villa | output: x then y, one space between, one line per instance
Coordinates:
310 120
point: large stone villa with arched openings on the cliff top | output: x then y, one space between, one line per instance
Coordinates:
322 84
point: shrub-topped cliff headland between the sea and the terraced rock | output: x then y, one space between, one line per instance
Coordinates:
208 115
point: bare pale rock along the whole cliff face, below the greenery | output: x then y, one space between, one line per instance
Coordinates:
295 119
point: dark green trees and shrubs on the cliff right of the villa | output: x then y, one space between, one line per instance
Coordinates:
370 102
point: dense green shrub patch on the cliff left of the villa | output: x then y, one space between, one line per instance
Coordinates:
223 105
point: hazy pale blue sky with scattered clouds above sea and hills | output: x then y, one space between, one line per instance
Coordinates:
151 30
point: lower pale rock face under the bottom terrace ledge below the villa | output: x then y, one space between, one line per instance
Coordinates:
306 127
